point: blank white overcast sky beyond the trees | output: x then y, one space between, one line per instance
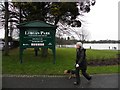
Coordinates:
102 21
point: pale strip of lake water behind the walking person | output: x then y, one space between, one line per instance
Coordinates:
100 46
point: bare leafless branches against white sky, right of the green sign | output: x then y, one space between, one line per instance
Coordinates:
79 33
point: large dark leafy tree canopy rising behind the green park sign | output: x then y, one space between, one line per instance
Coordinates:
52 12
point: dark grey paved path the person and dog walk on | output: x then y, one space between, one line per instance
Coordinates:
98 81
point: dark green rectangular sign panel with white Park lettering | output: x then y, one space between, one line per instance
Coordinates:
37 38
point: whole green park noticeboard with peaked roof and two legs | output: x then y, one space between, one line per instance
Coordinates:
37 34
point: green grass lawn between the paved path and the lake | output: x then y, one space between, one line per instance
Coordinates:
65 59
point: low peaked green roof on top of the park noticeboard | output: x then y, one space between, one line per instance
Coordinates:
36 24
